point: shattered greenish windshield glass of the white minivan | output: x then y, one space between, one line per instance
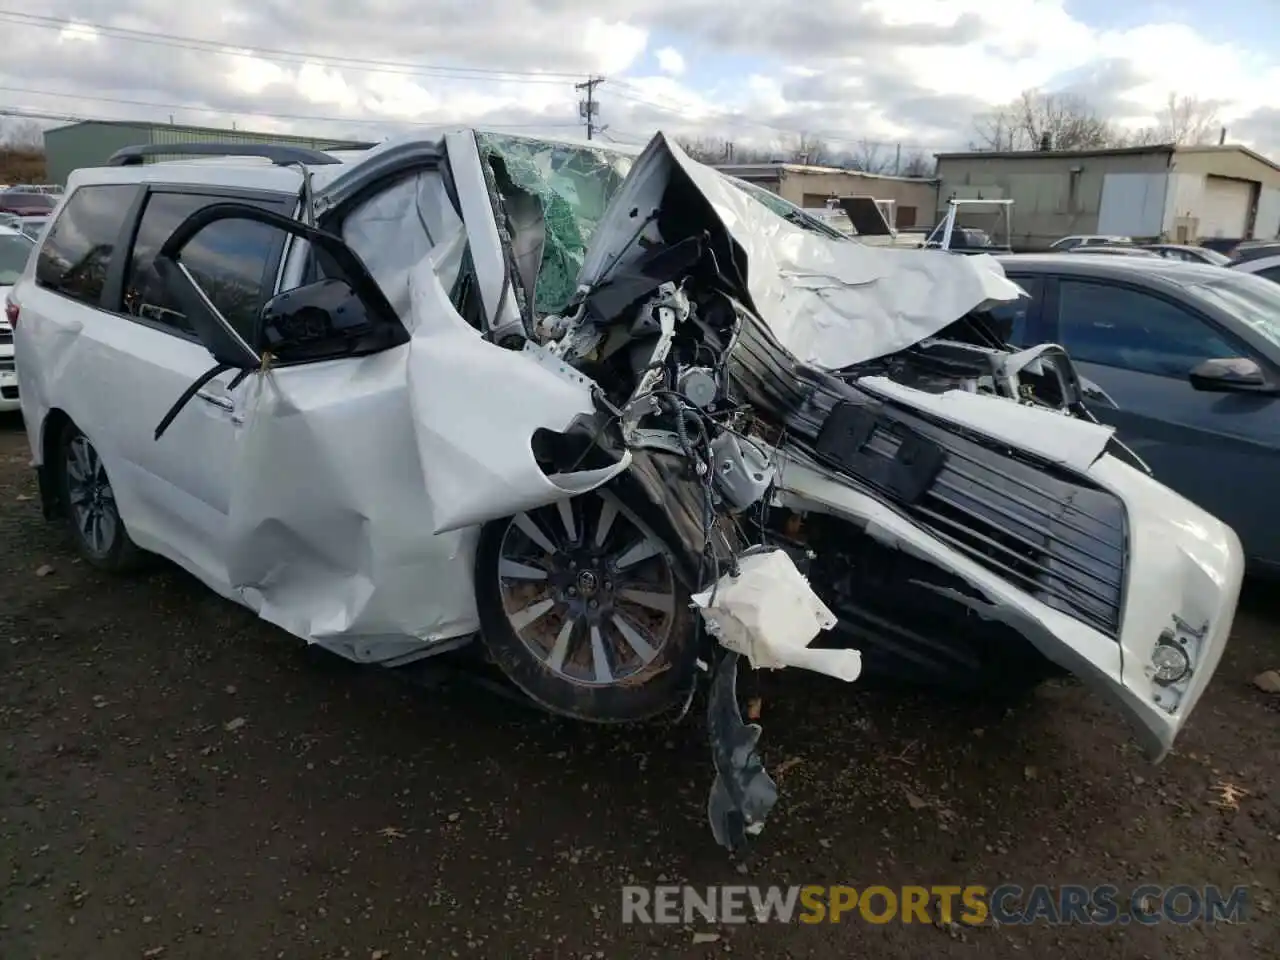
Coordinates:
574 185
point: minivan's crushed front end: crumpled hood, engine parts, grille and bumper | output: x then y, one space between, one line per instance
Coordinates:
838 445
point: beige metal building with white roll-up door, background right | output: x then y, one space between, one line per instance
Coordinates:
1176 194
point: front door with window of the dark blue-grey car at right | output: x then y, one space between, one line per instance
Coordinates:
1222 451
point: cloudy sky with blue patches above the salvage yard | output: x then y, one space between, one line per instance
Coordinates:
911 72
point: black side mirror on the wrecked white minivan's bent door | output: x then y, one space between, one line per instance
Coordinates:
312 319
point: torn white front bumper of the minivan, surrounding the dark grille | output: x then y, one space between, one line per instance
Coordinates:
1183 575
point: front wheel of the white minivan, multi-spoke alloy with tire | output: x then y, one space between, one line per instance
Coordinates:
582 610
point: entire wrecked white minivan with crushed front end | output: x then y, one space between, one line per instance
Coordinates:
619 419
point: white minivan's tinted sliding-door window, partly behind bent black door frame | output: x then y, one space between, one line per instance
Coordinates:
234 262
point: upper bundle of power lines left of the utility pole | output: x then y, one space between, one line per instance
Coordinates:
230 49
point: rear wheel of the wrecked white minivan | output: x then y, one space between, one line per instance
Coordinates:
90 506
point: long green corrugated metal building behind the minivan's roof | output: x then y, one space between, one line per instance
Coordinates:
92 143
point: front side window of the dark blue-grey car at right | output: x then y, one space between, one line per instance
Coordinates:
1135 331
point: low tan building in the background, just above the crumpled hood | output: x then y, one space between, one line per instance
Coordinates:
806 186
